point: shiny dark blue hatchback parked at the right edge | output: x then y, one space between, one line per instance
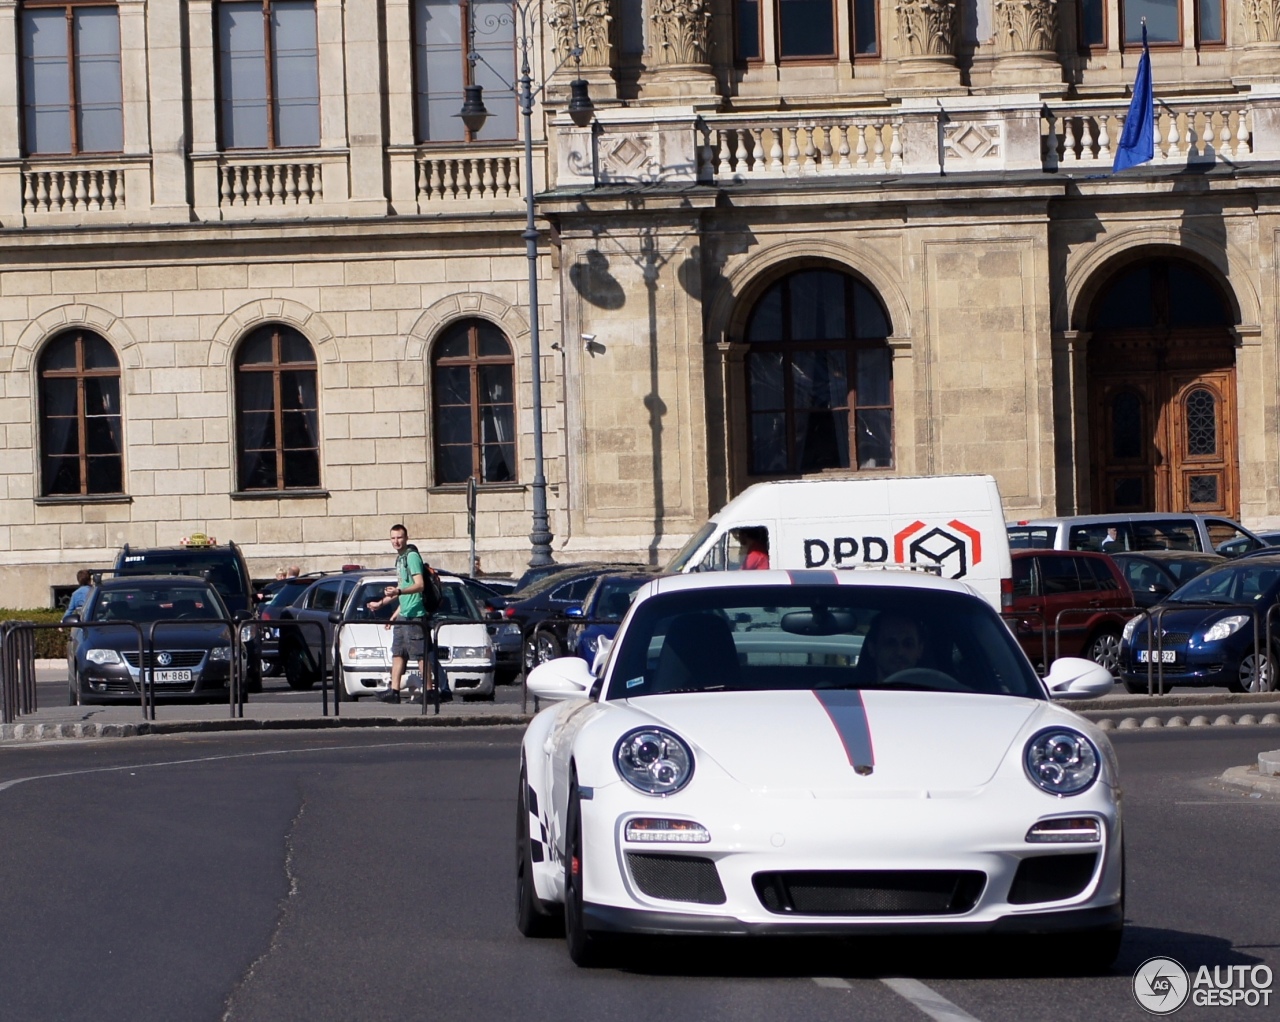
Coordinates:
1218 629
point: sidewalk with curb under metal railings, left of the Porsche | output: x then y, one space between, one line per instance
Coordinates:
276 709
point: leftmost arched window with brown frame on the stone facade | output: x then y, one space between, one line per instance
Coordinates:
80 417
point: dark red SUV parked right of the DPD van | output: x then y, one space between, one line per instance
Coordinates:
1090 586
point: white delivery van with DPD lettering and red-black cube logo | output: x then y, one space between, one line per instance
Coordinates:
949 524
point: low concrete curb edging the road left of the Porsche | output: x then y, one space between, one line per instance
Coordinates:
62 732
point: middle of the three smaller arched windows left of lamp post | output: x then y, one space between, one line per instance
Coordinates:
277 414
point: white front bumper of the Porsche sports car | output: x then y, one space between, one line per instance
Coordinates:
981 832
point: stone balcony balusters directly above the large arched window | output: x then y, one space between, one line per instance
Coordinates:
738 149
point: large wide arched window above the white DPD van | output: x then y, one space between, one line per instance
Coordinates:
820 377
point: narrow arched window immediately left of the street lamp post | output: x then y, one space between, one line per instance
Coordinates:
476 405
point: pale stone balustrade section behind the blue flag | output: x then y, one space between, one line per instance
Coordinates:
1206 131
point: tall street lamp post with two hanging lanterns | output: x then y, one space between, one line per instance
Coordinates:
474 115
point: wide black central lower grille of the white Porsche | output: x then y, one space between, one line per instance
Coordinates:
871 892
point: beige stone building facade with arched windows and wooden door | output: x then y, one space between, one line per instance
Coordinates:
257 281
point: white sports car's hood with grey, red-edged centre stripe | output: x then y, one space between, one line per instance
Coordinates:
844 743
